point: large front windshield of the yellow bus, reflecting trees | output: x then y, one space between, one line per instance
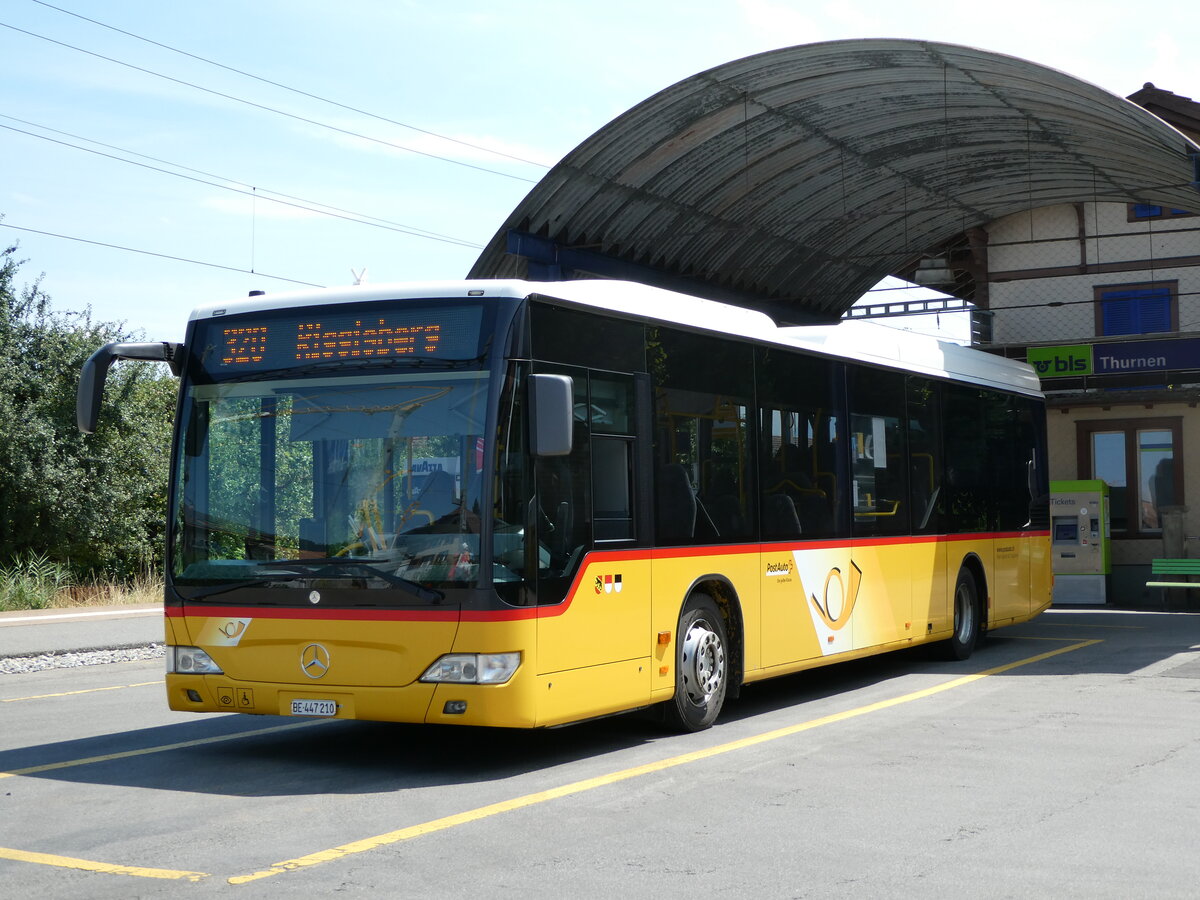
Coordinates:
331 483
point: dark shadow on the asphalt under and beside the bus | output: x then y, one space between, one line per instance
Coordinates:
271 757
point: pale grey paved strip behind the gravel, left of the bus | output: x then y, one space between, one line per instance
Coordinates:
33 633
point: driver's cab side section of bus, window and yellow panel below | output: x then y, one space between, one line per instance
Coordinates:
593 587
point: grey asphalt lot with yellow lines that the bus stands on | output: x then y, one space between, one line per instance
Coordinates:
1060 761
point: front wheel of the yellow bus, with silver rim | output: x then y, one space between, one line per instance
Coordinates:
703 667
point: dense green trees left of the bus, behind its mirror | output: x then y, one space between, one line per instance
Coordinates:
94 502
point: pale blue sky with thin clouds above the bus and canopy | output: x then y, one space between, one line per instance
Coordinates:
143 177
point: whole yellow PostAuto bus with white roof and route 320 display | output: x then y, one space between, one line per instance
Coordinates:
527 505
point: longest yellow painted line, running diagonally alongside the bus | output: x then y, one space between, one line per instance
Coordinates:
532 800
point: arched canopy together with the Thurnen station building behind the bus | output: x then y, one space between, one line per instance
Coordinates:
796 181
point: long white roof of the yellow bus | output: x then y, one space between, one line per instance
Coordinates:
854 340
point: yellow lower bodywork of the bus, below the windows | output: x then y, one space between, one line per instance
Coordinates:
611 645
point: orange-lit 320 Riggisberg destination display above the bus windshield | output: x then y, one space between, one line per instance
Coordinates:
286 339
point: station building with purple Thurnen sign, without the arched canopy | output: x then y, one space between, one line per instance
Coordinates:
1103 299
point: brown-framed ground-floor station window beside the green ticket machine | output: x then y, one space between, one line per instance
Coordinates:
1142 460
